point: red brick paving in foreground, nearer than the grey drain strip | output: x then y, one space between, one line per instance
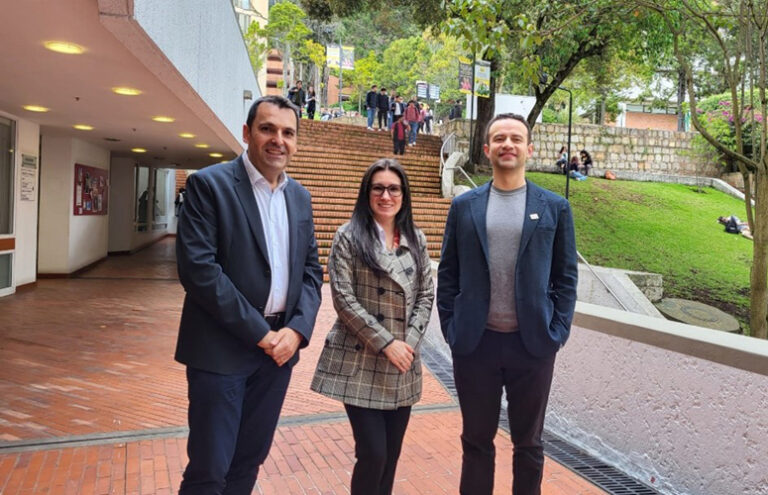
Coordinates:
307 459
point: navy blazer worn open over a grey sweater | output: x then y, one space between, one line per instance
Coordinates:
545 275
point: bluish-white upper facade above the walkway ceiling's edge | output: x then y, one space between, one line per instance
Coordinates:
213 60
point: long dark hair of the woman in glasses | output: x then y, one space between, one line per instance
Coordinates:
363 226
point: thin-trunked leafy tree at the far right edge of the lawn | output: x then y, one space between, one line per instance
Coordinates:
739 30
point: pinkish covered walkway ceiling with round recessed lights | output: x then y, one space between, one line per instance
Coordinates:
78 89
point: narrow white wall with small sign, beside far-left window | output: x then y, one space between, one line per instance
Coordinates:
25 257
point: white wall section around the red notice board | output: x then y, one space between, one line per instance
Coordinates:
68 242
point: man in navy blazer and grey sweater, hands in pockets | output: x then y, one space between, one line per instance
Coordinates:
506 295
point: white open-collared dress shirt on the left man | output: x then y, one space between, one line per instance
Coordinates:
274 219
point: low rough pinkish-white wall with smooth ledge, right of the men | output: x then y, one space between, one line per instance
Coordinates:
693 425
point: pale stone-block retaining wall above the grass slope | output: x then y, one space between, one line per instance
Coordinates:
612 148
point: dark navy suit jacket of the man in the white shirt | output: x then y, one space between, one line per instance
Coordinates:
223 266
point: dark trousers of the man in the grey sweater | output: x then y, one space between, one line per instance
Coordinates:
501 362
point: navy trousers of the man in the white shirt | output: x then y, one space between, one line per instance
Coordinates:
232 421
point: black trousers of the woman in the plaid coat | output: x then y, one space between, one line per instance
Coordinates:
378 438
